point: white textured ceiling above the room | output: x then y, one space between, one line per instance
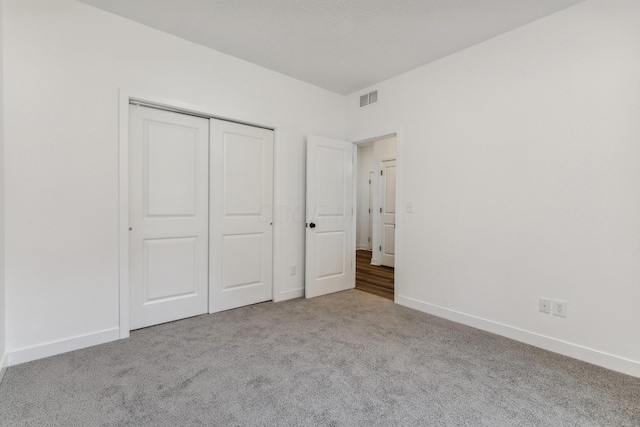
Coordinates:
340 45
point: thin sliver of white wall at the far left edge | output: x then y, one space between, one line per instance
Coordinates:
3 358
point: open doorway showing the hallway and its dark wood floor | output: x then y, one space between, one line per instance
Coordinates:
375 216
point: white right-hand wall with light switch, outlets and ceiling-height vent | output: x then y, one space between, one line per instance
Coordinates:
521 156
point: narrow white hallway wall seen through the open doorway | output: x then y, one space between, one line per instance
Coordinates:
365 166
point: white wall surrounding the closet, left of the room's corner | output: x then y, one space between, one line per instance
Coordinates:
65 62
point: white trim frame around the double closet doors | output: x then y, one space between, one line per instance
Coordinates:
127 96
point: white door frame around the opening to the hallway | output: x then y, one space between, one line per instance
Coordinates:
368 137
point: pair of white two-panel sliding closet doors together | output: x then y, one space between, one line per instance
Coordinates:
200 215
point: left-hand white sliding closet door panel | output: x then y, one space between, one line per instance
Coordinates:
168 216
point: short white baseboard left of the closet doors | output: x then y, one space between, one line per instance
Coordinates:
62 346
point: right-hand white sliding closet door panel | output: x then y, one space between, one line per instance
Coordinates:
241 215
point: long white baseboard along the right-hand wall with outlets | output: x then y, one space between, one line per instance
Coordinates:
589 355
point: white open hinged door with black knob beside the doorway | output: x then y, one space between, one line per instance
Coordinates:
330 241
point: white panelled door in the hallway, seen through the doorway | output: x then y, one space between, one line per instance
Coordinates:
388 213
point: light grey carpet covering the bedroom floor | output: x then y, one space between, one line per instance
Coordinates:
347 359
